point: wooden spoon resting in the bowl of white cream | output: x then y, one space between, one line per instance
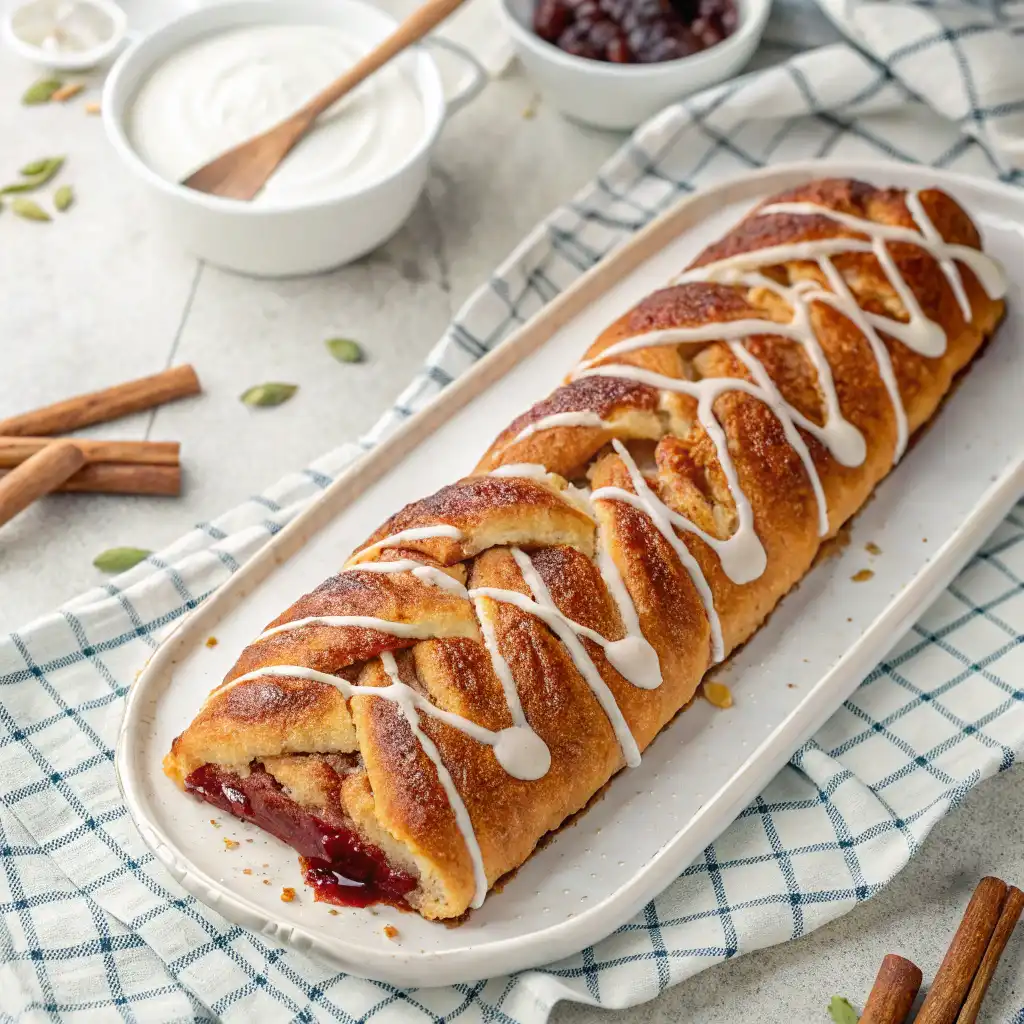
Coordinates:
243 172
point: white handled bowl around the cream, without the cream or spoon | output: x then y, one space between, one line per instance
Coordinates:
298 238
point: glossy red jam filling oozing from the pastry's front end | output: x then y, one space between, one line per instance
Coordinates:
339 866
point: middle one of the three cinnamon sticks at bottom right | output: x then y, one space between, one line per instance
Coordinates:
965 954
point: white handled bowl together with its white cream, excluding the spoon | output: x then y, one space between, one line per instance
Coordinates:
223 74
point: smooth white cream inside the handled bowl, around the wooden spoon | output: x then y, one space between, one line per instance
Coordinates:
220 92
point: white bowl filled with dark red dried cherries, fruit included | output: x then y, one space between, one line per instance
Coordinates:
614 64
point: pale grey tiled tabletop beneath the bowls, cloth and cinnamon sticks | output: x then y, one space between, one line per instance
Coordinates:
98 297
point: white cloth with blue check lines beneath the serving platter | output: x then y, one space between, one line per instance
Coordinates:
95 929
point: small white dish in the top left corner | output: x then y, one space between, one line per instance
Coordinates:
93 31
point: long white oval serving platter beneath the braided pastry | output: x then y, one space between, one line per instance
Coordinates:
952 491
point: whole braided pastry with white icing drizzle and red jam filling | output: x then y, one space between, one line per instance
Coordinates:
497 652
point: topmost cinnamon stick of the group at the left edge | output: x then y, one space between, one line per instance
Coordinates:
99 407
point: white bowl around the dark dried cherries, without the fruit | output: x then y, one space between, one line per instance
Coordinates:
613 96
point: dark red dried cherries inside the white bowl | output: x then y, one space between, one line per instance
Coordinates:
634 31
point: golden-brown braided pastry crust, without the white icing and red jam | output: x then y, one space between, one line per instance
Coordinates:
392 792
